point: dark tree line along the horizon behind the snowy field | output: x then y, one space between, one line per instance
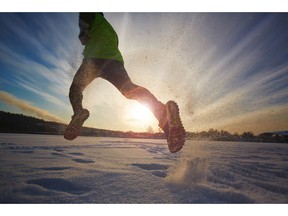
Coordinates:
19 123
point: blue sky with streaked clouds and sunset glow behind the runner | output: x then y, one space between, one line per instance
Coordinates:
227 71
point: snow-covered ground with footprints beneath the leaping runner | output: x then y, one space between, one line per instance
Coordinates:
49 169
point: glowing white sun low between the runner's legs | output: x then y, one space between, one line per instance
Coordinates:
139 116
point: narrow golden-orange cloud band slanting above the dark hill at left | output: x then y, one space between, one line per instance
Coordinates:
28 108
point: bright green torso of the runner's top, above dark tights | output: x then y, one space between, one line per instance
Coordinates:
103 41
